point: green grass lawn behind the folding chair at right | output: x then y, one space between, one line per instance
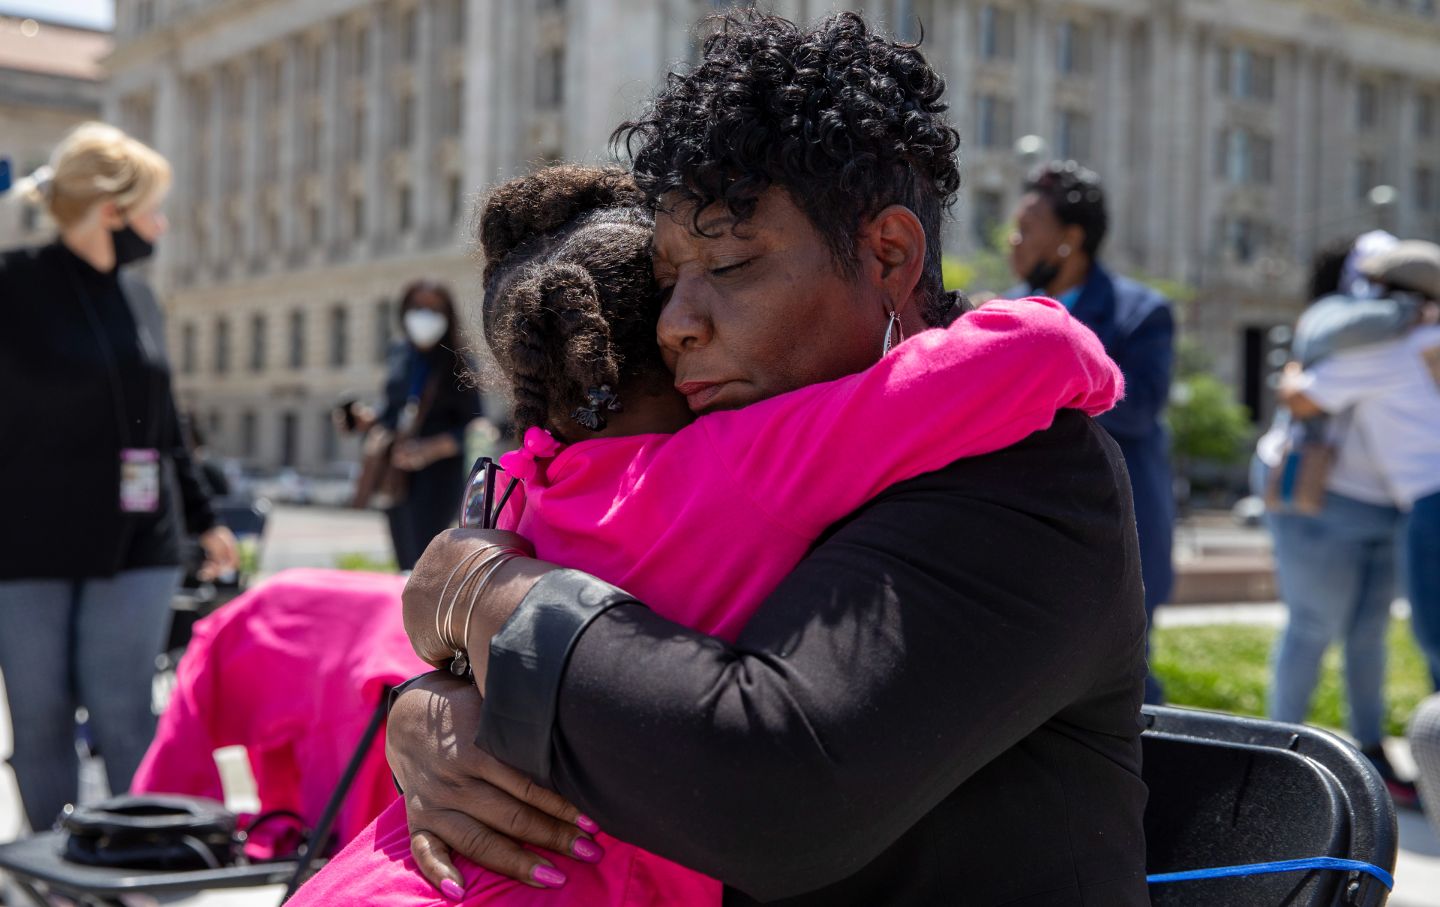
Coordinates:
1228 669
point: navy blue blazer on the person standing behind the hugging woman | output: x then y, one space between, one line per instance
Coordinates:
1137 326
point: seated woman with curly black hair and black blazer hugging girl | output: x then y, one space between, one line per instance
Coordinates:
940 705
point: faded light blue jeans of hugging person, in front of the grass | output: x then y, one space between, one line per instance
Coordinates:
1337 577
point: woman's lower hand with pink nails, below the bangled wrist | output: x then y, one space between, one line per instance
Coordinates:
460 798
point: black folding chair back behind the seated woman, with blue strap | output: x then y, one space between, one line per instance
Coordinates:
1230 791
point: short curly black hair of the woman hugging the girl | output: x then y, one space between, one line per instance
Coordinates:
846 120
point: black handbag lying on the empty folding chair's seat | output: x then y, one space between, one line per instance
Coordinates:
152 831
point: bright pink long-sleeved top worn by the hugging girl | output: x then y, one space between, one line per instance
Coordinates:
705 523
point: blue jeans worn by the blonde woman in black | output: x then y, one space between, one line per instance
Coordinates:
81 643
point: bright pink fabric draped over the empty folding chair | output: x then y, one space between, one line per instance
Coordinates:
293 670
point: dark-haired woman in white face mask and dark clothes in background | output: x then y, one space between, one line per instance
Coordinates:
414 461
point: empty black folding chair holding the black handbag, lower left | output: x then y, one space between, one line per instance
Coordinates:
38 867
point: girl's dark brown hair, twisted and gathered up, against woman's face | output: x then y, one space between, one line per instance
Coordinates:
571 299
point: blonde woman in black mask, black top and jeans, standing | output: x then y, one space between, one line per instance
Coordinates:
96 483
